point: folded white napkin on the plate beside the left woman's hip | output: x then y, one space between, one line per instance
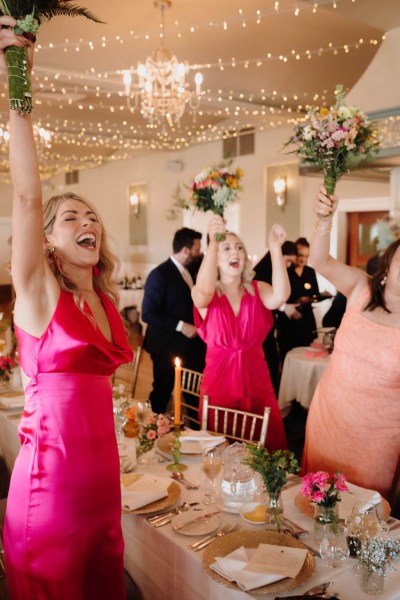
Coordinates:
142 491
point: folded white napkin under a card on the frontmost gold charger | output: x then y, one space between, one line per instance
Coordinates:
232 568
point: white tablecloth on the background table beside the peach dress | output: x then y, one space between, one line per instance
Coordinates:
300 377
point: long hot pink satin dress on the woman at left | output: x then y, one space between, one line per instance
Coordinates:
63 538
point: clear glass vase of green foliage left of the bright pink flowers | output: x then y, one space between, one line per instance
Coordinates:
273 468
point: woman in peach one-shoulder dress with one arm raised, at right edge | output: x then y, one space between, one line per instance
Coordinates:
353 425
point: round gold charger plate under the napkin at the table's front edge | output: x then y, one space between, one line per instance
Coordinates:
251 539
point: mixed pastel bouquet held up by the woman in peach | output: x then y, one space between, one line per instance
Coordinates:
337 139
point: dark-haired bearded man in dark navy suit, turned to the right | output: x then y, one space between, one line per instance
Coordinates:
168 311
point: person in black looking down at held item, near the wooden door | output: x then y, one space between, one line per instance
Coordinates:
296 324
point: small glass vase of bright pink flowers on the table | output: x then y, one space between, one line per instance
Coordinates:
324 490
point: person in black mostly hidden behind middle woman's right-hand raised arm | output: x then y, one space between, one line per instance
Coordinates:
263 272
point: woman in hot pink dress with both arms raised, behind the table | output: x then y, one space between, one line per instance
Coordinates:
233 317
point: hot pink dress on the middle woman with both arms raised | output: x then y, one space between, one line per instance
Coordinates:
236 374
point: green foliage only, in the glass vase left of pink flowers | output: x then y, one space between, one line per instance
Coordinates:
272 466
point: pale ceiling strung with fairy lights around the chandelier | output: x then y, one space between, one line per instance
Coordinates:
266 64
